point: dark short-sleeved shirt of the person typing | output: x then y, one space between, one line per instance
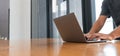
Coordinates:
112 8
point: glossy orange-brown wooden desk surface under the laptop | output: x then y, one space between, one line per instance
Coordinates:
54 47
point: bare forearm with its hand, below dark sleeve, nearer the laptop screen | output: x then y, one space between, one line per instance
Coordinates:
96 27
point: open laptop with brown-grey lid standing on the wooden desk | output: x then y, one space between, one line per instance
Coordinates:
70 29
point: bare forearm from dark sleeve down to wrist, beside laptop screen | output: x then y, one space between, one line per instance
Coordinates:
98 24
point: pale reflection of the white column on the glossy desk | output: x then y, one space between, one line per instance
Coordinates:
19 48
